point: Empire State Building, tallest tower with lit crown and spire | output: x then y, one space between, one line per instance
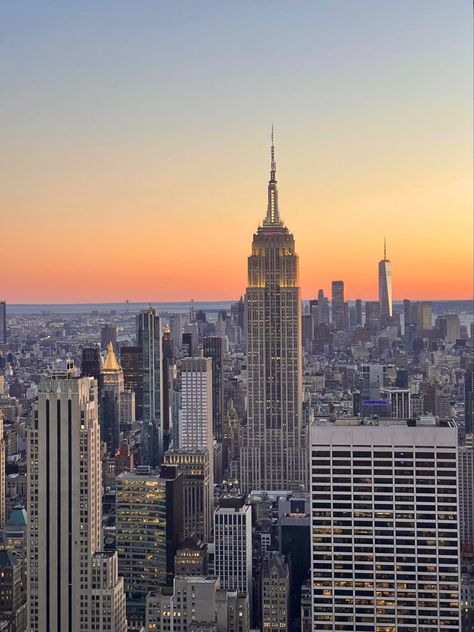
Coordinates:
273 455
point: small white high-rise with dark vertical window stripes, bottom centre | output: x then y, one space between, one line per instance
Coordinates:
233 544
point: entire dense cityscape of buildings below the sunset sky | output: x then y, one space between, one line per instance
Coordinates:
267 464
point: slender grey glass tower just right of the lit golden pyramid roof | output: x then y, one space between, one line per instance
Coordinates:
149 340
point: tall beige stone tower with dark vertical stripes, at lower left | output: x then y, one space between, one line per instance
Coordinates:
64 507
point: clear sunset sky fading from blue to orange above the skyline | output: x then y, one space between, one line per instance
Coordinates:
134 145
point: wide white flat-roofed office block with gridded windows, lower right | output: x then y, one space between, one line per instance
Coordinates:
385 527
